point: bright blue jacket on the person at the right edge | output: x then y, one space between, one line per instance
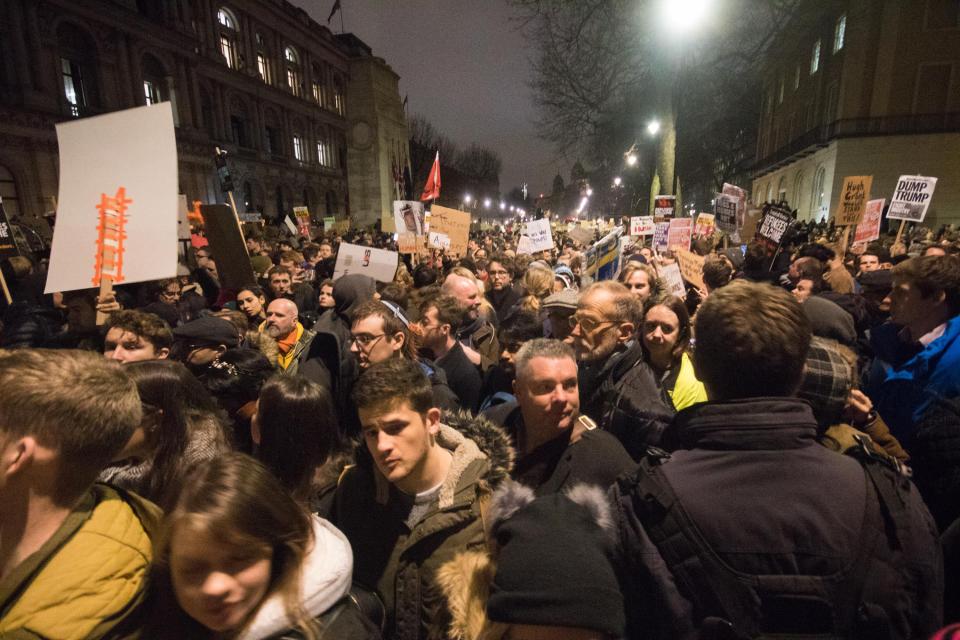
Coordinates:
902 388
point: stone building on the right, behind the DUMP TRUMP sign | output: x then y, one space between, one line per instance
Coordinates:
862 87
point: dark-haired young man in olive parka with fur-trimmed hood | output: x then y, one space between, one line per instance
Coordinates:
423 483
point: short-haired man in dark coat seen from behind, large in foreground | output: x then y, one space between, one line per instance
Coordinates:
750 527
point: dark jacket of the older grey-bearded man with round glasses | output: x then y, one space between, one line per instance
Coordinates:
622 394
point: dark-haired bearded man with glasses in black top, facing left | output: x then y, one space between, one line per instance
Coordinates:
440 317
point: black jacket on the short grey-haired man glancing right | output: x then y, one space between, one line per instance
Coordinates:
596 458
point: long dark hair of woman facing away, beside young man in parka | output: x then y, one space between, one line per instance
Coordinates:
295 430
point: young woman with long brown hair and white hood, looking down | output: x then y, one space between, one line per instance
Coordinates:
239 558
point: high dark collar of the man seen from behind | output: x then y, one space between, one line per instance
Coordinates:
749 424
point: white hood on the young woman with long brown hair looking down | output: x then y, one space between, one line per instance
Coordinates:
326 576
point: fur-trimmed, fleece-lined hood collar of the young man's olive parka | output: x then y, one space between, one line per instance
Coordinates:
470 440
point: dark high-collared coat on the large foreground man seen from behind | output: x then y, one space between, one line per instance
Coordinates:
735 466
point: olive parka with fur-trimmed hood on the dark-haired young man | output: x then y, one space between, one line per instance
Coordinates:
400 563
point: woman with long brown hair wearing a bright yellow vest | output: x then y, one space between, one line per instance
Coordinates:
665 334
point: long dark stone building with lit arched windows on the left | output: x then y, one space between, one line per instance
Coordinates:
257 78
